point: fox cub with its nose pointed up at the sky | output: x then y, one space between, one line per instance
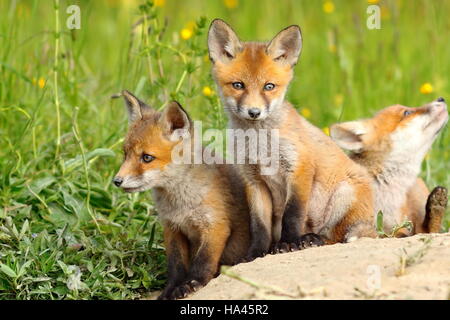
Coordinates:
392 146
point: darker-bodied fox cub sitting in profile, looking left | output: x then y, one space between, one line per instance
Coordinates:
204 215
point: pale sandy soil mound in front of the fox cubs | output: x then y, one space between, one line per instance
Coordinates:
416 267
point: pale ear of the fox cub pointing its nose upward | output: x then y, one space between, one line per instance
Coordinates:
349 135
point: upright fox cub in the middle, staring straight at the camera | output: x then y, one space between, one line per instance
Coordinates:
317 189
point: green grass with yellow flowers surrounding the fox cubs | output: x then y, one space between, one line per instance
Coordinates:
61 219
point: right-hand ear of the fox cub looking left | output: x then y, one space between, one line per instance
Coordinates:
175 121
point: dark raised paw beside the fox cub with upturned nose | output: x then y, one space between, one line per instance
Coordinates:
435 209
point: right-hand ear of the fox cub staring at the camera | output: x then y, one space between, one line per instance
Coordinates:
286 45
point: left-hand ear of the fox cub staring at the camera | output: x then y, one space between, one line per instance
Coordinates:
223 43
